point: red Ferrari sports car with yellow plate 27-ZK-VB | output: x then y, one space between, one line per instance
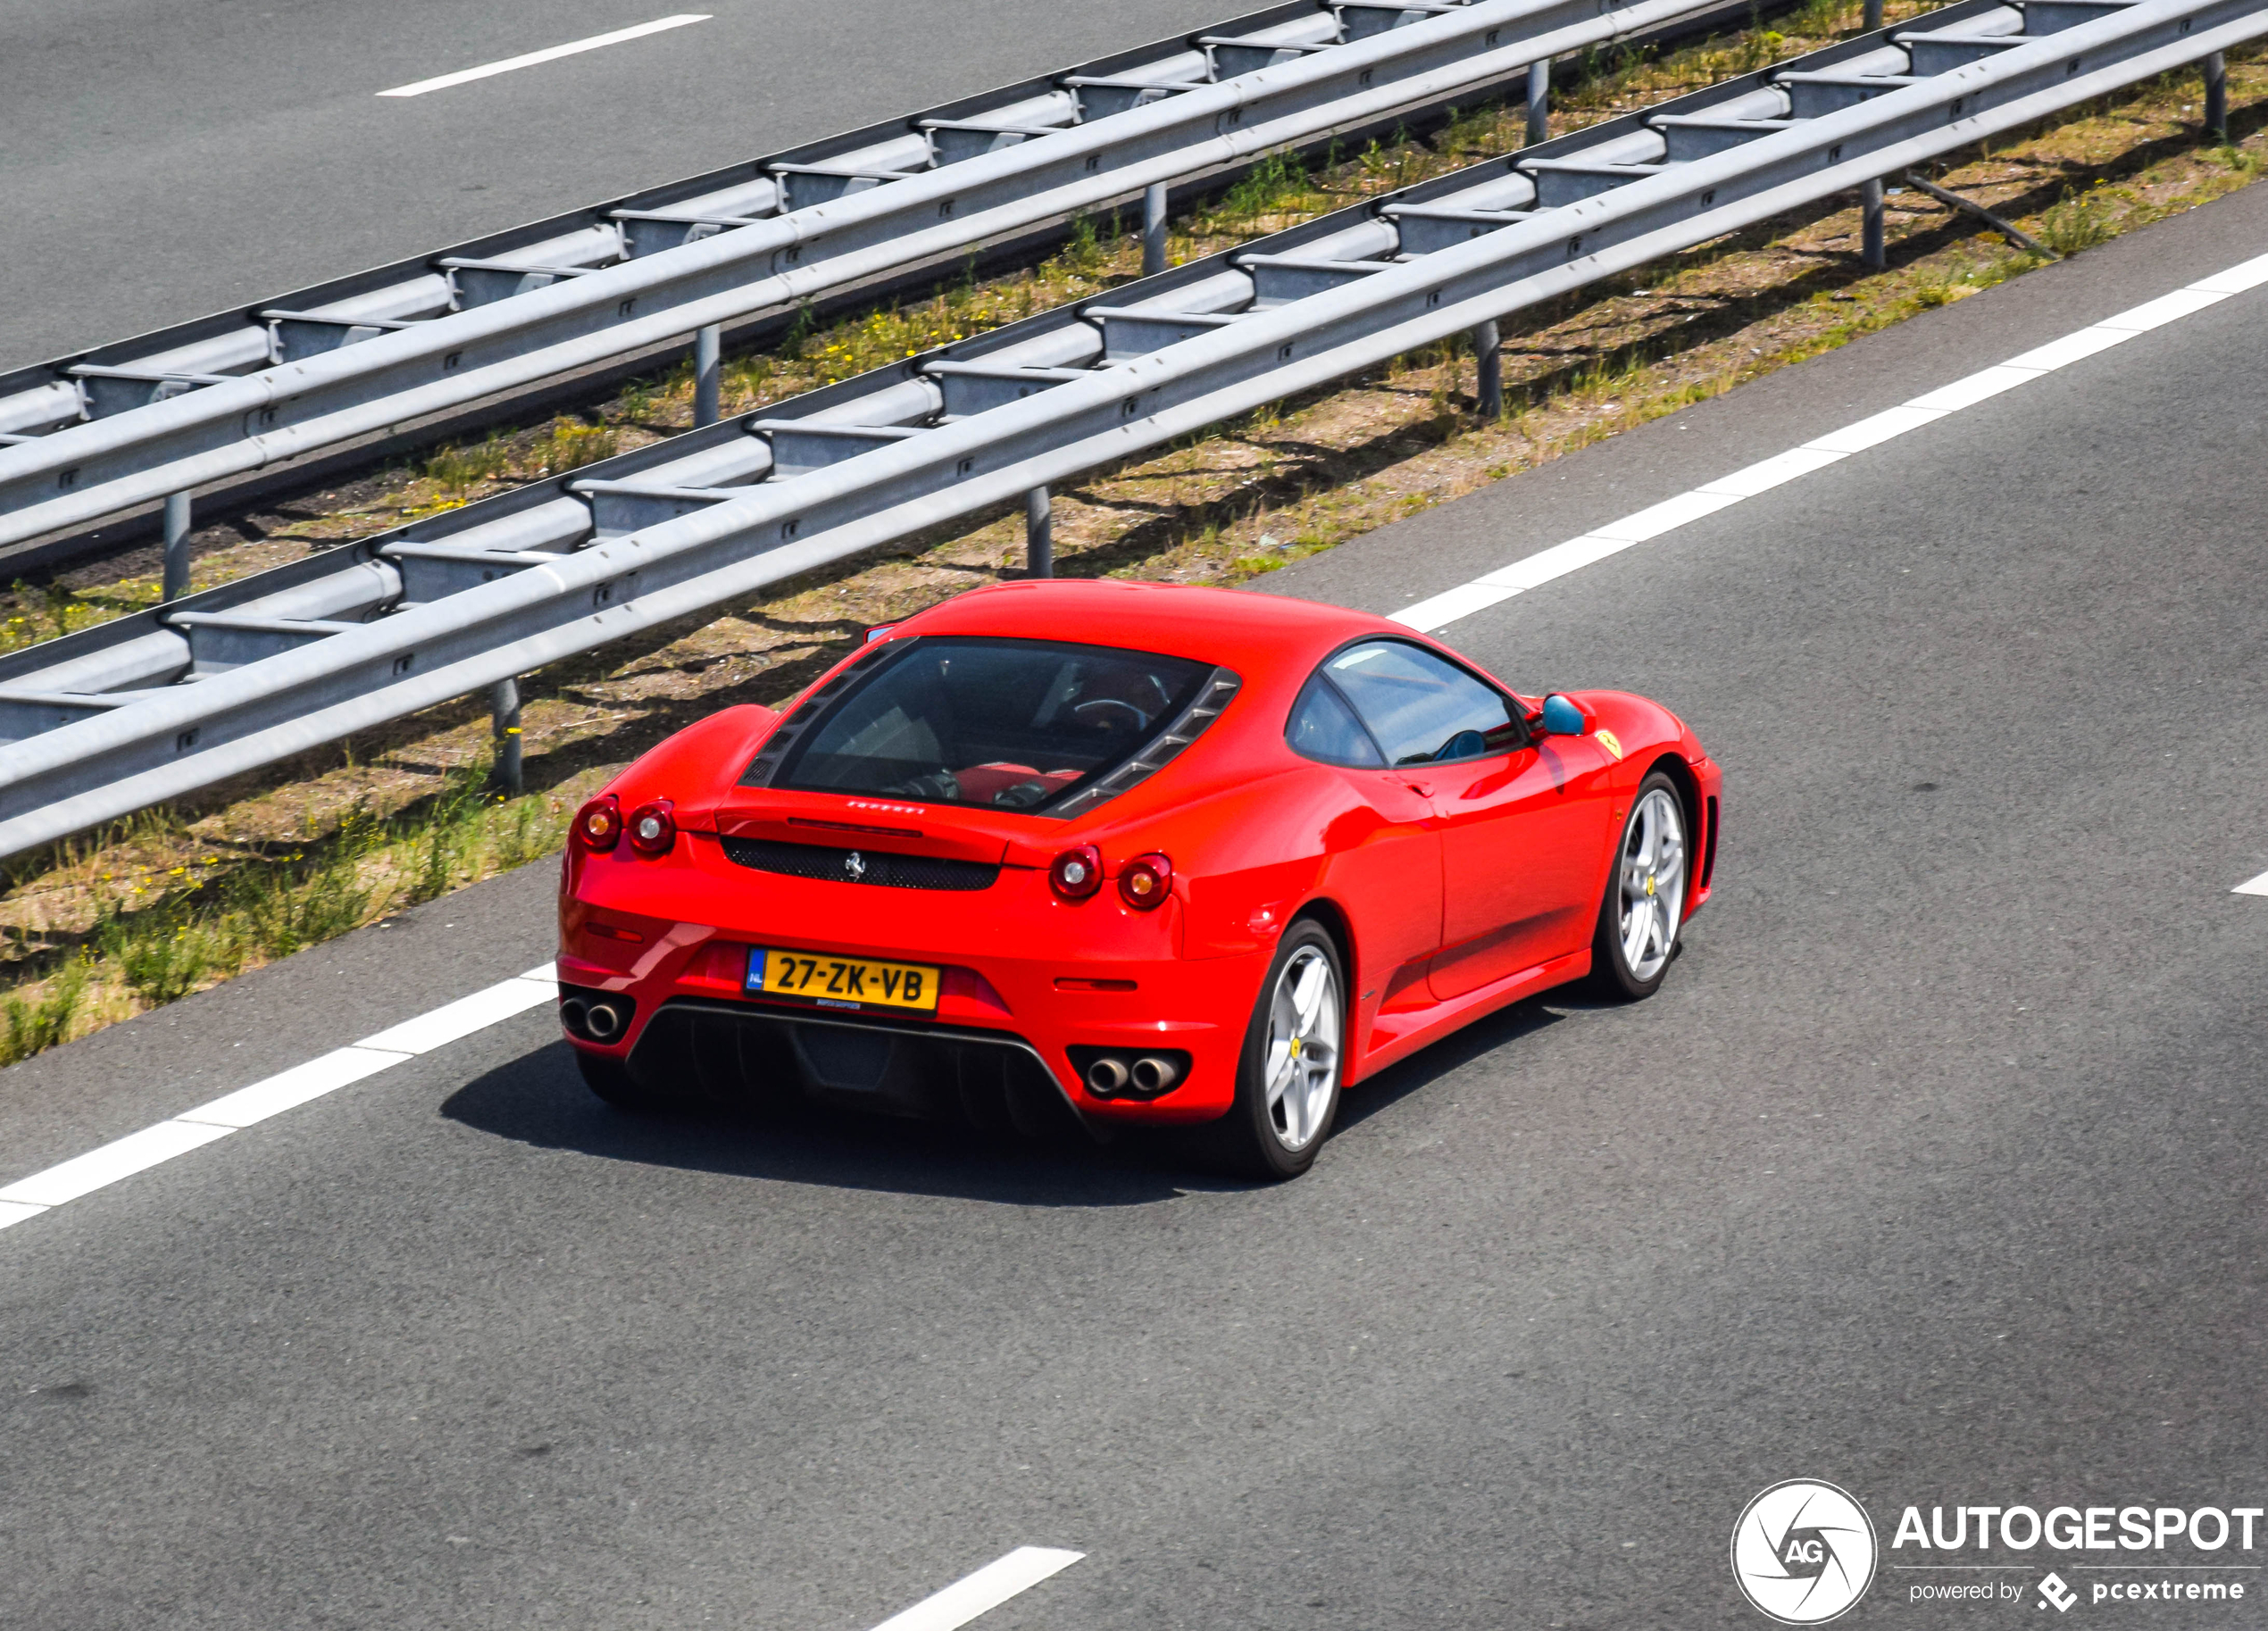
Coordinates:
1156 854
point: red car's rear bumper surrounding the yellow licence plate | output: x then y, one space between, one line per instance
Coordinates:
1031 986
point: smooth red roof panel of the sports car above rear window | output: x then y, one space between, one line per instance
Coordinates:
1226 627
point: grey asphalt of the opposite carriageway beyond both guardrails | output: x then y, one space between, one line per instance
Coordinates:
162 160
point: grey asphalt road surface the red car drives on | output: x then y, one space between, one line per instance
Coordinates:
1931 1172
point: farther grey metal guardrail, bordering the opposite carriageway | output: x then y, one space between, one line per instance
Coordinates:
101 434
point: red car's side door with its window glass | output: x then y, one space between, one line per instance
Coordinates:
1521 822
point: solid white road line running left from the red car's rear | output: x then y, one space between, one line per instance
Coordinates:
287 1090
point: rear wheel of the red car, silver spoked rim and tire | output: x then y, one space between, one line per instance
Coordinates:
1287 1079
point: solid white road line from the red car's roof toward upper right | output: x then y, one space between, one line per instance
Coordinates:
1439 611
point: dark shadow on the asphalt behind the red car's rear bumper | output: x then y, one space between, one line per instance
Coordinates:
541 1101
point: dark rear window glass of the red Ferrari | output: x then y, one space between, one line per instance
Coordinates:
1008 725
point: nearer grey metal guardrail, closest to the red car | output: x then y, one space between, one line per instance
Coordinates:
108 720
